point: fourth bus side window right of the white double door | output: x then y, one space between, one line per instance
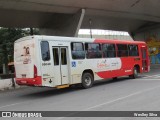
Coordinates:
122 50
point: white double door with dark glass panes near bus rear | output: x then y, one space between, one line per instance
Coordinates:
60 60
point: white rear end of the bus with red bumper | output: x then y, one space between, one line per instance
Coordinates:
25 62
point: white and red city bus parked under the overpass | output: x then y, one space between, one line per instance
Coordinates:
59 62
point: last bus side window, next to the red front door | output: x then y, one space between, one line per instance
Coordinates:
133 50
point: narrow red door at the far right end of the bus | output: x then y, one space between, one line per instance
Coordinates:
144 59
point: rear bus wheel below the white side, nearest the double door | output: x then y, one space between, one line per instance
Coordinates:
87 80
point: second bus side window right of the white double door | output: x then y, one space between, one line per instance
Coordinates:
93 50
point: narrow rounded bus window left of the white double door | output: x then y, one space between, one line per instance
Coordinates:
45 51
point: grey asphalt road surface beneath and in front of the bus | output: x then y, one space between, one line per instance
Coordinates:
124 94
